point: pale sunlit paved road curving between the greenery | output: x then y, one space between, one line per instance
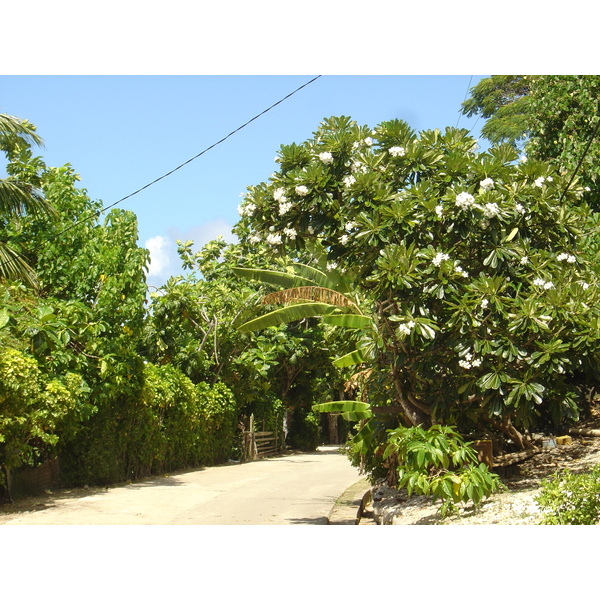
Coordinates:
298 489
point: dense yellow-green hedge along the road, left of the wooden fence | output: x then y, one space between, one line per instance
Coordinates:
168 423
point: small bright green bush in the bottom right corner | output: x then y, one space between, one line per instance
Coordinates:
571 499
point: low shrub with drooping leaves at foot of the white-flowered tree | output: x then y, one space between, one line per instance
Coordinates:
437 462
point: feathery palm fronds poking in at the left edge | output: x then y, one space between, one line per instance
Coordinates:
17 197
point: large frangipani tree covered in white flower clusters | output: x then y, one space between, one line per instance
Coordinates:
485 306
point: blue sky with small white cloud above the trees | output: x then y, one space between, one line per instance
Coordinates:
123 132
